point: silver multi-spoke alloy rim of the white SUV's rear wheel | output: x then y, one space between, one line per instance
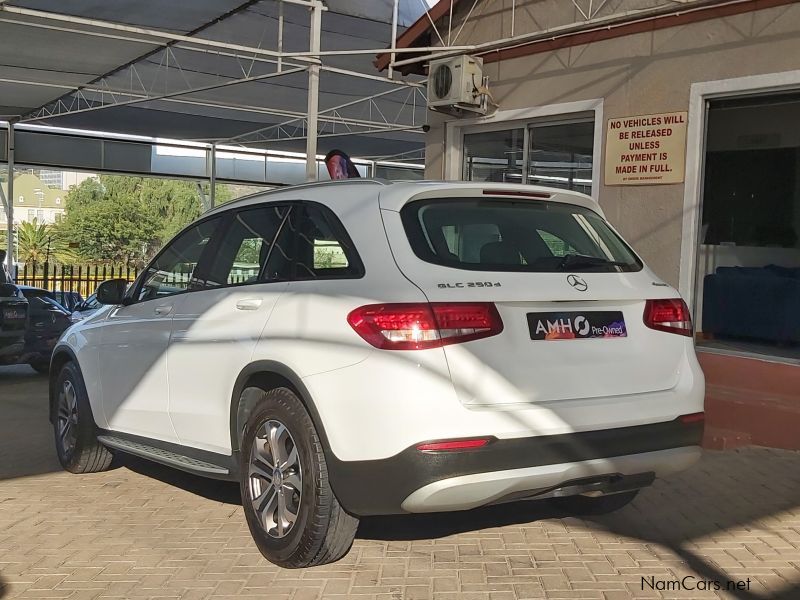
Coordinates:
275 478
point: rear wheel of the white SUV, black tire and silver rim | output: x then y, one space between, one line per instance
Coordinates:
293 515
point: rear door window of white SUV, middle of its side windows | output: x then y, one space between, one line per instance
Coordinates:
246 247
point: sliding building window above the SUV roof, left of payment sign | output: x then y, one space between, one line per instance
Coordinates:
555 153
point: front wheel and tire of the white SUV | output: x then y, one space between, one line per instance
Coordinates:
77 446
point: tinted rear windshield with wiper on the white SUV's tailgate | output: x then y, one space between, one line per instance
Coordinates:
514 235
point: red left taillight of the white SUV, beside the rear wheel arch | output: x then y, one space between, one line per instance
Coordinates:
418 326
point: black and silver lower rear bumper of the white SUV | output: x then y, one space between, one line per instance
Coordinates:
507 469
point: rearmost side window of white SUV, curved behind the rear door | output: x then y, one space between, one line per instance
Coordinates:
323 249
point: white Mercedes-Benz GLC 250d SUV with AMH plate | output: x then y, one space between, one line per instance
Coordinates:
364 348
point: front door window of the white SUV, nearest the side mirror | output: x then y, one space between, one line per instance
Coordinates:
174 269
